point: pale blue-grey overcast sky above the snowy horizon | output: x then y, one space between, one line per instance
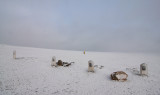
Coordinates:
91 25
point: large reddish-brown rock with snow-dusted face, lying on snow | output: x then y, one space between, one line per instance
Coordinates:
119 75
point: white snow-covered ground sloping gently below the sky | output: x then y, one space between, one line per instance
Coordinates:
31 73
